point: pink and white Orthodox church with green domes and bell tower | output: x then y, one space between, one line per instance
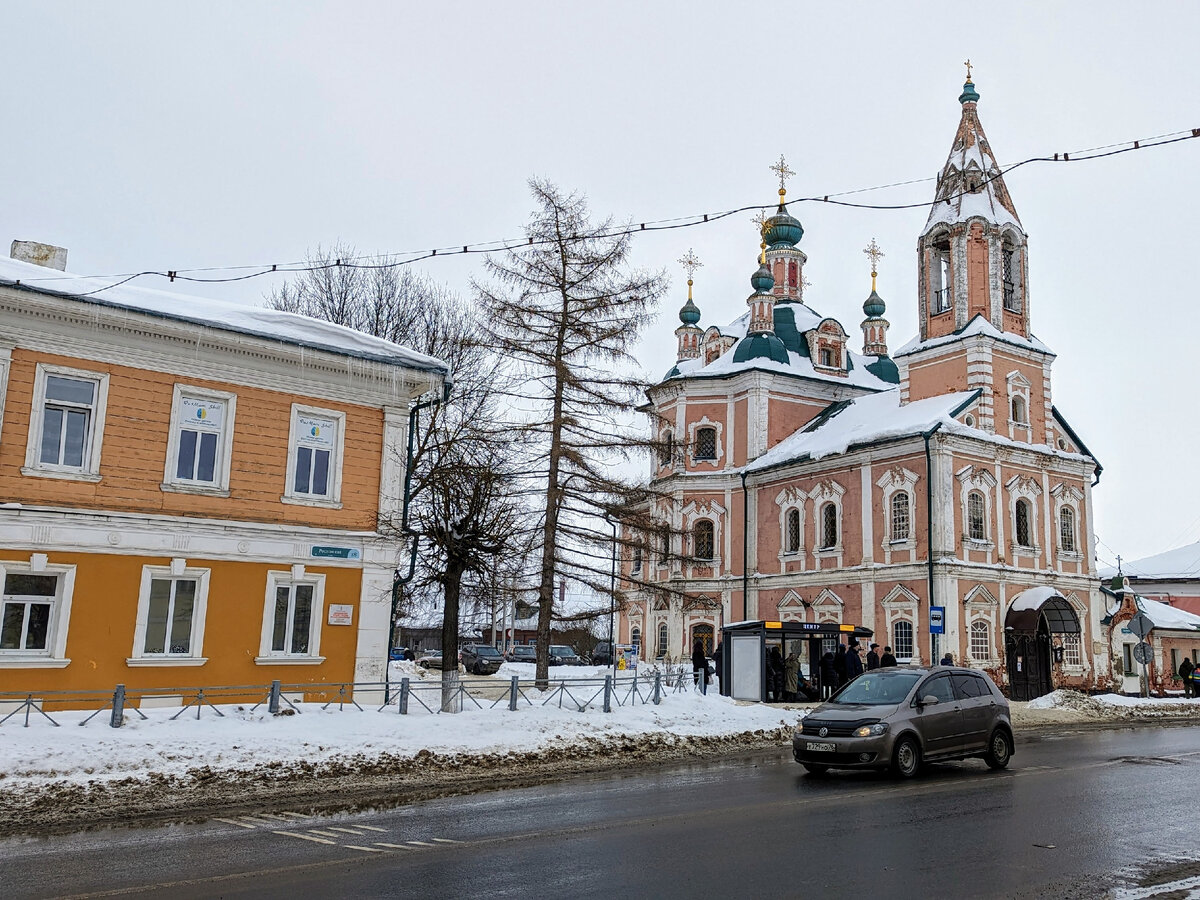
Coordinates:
932 494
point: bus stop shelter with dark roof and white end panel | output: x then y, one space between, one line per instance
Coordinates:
747 646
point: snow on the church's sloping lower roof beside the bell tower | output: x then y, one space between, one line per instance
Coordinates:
867 421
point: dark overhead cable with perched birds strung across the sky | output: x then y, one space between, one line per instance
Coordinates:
662 225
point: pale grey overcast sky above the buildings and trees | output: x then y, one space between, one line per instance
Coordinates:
165 136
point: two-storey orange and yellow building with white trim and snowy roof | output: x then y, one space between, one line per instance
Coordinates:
191 491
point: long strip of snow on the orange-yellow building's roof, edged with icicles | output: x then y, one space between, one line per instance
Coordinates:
224 315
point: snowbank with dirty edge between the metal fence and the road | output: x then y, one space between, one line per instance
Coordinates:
245 740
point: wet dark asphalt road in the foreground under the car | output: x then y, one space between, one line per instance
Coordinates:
1071 814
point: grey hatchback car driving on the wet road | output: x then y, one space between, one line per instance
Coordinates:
898 718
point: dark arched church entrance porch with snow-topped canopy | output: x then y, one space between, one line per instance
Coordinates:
1034 621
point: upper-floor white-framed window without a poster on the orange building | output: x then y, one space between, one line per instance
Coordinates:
68 423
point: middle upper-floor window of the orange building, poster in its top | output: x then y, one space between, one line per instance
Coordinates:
201 440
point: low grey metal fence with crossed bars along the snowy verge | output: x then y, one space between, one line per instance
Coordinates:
407 697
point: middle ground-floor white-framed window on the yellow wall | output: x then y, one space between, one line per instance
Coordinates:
171 616
